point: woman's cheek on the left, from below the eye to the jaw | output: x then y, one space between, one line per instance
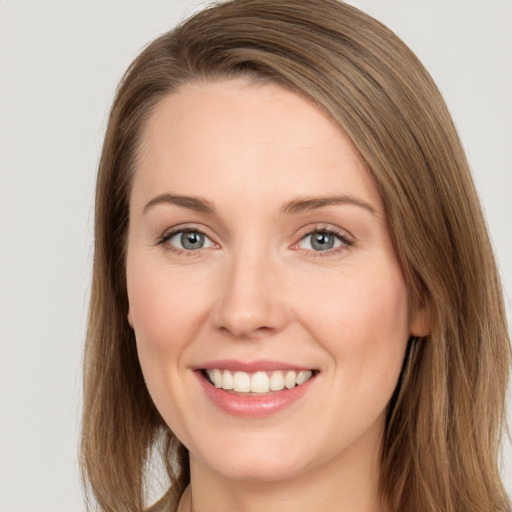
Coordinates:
164 322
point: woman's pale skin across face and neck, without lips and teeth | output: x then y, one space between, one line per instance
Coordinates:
252 157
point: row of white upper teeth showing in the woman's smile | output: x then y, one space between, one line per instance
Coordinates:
257 383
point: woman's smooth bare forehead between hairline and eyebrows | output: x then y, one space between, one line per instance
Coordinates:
227 136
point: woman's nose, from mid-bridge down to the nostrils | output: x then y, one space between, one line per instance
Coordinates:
250 302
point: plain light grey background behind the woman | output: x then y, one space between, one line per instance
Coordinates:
60 62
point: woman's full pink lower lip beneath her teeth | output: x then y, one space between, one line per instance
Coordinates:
253 406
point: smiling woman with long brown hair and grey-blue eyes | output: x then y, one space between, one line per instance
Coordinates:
295 302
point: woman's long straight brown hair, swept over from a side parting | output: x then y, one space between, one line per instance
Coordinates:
444 423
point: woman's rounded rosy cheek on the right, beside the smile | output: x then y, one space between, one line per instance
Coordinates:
361 317
